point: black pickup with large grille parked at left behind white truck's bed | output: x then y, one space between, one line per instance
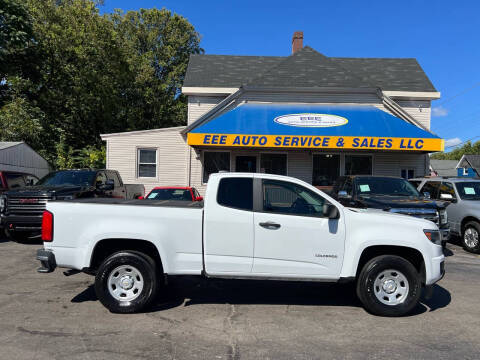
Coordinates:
21 209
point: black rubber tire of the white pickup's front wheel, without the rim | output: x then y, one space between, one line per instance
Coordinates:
366 285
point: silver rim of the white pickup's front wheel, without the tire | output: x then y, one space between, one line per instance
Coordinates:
391 287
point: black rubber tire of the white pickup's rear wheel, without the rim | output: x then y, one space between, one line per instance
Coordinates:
147 270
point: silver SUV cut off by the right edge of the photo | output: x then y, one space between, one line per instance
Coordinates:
464 209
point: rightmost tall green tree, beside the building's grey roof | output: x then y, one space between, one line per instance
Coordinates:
160 45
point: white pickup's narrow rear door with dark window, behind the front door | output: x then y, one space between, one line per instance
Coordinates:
228 225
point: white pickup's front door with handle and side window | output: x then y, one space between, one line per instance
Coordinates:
292 237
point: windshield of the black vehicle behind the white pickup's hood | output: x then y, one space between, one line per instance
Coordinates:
366 186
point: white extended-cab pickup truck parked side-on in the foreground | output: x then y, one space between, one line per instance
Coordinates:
250 226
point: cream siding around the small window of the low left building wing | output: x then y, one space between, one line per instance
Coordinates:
171 156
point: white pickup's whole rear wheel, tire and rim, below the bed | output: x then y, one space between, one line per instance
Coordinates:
126 282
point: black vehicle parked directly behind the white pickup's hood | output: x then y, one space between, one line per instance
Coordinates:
393 194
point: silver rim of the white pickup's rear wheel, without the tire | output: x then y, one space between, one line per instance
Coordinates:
125 283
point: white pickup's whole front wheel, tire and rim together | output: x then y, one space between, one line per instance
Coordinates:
389 285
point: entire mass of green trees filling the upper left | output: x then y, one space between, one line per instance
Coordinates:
81 74
